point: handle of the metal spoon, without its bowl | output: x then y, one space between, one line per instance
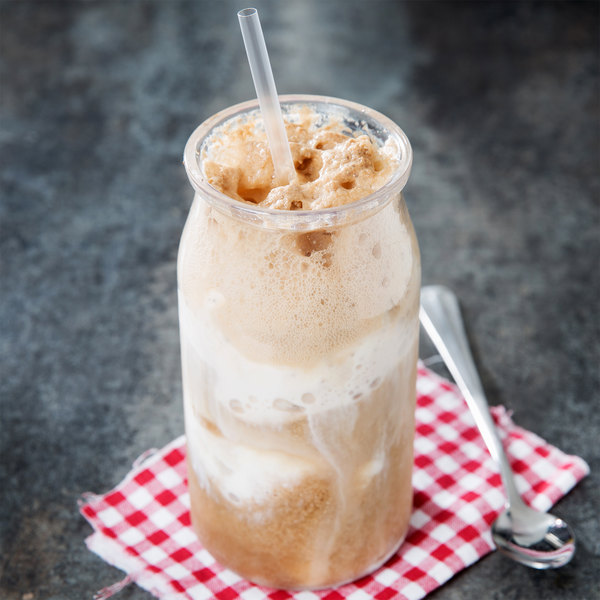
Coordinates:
440 316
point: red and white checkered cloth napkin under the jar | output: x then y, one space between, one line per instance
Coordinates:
143 525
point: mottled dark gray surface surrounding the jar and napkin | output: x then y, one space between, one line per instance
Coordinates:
501 102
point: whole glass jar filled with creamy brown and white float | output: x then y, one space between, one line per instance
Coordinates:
298 309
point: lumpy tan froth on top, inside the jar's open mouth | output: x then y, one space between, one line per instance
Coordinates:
334 165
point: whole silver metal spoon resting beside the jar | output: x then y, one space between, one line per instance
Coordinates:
535 539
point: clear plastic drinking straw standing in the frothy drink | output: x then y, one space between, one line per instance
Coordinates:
262 75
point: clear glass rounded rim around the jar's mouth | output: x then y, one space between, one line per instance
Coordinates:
297 219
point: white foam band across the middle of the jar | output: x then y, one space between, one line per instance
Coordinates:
254 390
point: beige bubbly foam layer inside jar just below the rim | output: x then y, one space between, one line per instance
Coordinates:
295 298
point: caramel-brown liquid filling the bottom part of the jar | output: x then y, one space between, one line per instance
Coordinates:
345 513
